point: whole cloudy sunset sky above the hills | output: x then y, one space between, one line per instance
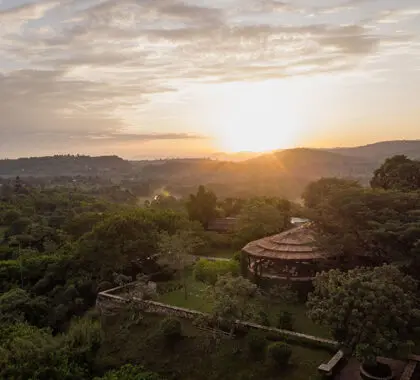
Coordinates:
166 78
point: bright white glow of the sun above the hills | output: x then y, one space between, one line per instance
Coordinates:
257 119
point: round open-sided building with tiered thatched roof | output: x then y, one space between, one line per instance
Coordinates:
290 256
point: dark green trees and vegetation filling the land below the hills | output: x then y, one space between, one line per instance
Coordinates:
62 244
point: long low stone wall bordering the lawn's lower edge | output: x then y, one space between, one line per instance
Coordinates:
109 302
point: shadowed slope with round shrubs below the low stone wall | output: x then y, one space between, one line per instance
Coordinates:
177 349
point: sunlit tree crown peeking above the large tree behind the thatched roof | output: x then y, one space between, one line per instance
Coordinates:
321 190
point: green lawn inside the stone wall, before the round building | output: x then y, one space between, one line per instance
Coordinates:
197 301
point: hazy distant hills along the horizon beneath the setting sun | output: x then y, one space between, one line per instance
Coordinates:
299 164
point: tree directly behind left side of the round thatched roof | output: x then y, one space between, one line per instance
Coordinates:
262 217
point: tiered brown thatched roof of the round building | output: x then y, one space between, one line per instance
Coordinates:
294 244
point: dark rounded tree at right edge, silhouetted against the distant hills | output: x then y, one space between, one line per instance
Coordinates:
397 173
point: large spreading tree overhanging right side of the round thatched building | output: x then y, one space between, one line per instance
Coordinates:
368 226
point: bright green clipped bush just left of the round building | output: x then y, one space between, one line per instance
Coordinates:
208 271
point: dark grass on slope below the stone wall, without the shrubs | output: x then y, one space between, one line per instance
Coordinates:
197 356
